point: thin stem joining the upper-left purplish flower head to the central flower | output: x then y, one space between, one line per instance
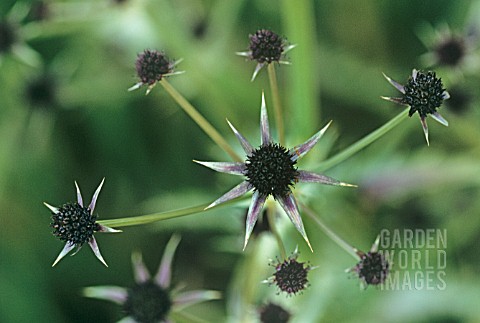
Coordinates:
199 120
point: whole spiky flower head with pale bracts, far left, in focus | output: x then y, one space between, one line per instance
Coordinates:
75 224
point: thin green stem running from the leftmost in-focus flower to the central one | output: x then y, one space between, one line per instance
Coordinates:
155 217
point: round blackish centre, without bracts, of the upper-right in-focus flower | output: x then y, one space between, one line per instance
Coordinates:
423 93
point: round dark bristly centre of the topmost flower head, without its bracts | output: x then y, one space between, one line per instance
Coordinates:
266 46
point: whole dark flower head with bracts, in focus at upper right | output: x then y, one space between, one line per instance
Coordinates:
424 94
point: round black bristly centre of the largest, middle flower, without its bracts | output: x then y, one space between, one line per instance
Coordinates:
271 170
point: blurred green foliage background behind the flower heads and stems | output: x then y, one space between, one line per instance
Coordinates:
66 115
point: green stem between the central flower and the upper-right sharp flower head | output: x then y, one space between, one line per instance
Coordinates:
362 143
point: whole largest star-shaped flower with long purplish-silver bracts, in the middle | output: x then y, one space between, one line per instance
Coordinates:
270 170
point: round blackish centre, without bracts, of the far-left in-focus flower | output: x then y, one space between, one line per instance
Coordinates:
74 224
